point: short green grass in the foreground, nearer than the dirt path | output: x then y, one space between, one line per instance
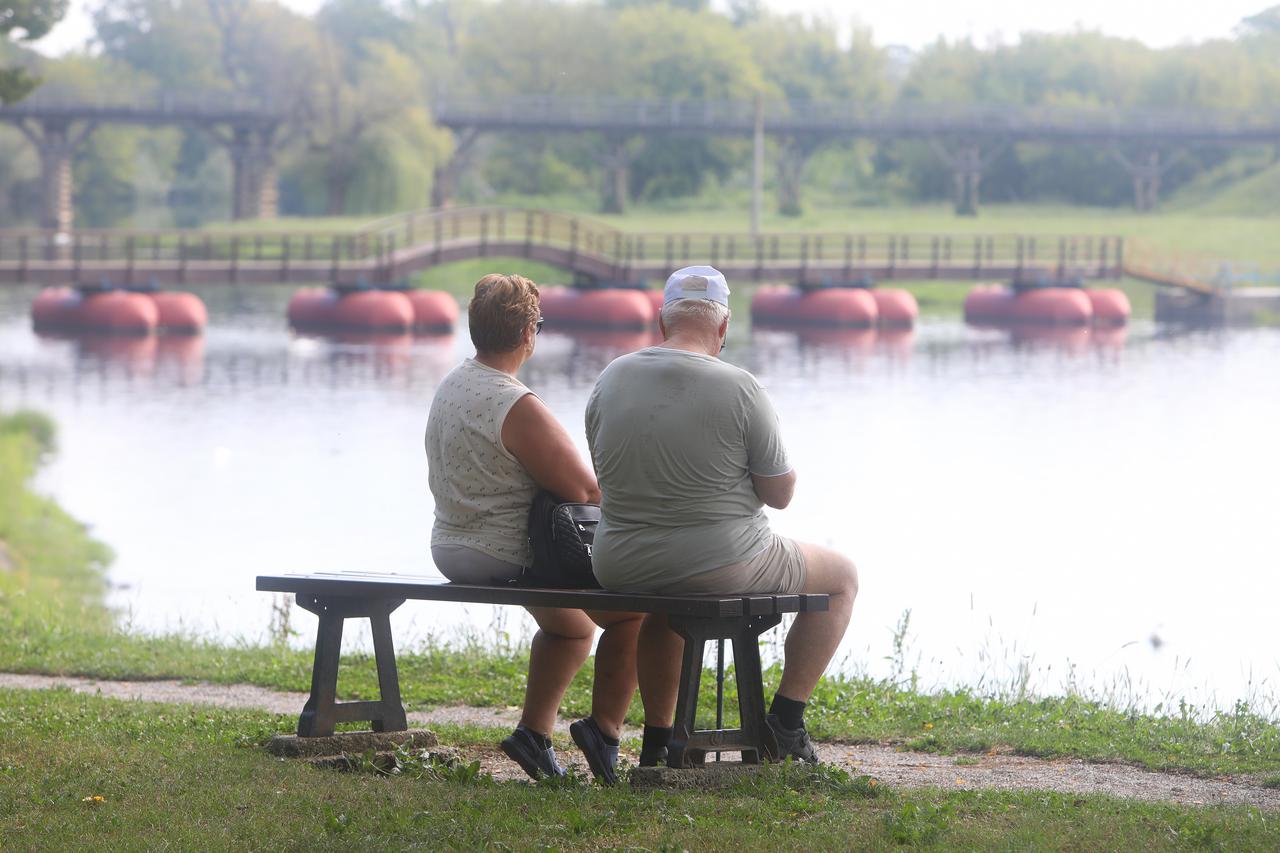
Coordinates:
182 778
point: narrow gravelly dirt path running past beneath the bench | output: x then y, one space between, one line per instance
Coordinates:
888 764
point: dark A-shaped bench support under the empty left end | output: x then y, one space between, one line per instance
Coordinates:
323 711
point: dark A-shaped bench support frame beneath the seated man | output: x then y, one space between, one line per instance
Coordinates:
755 740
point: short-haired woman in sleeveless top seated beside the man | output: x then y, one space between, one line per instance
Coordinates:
491 444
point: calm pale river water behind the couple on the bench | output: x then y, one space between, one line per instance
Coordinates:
1071 513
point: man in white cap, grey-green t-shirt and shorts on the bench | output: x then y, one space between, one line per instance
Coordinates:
688 453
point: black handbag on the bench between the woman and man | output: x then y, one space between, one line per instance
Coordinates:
561 536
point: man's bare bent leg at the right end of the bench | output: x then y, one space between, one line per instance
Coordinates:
813 638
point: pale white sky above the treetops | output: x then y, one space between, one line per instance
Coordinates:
918 22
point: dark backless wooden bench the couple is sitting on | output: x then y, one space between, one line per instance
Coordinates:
740 619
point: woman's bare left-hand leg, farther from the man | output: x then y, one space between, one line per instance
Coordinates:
560 649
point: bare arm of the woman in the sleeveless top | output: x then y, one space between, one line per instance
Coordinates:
538 441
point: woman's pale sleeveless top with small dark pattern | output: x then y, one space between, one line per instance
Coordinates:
482 492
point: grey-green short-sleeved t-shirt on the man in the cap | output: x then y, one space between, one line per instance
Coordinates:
675 437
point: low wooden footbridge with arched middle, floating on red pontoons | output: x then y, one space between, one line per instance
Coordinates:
394 249
